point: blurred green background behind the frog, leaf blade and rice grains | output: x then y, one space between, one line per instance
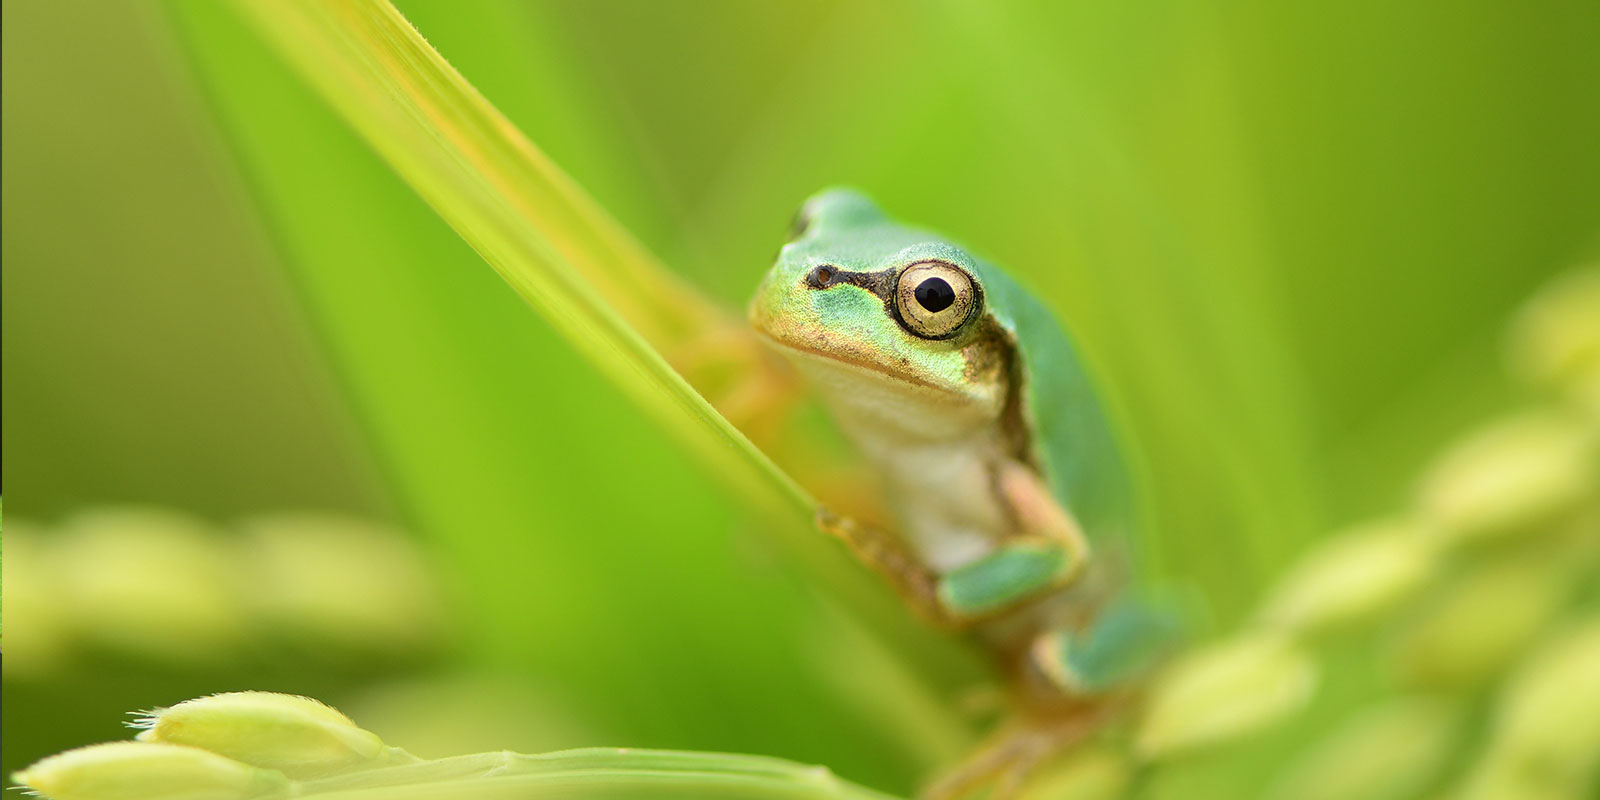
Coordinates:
1292 238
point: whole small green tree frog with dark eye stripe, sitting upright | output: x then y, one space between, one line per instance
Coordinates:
1010 492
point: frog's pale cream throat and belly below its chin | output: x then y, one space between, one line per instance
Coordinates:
937 450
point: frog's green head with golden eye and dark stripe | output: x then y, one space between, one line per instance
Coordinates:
868 305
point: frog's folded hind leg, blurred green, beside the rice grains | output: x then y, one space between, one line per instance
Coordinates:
1124 646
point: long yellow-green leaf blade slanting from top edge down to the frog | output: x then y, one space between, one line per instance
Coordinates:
526 218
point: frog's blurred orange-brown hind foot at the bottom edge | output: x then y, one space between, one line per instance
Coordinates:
1017 753
